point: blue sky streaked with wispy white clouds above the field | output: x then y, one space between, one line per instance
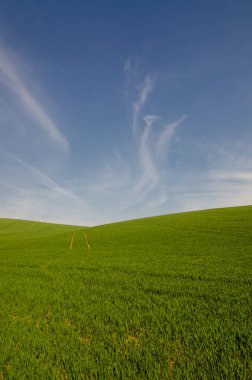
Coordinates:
115 110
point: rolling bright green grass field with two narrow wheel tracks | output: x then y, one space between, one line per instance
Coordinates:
159 298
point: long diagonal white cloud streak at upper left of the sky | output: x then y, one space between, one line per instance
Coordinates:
11 77
